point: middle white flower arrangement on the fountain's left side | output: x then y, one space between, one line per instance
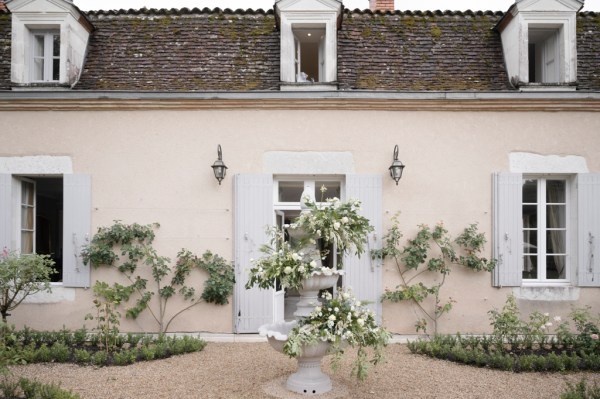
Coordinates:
288 265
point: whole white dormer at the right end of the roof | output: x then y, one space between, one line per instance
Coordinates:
539 44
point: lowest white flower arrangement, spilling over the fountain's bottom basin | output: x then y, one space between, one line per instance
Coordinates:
341 320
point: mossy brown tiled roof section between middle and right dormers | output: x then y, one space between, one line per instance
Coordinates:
421 51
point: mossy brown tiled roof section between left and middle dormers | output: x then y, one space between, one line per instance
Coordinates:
176 50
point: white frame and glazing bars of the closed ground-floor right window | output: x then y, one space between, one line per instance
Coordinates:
542 230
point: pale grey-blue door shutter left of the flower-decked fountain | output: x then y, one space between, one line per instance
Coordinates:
253 212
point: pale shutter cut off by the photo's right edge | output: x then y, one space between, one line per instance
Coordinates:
588 236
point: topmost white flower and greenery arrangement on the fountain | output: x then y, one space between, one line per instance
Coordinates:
335 222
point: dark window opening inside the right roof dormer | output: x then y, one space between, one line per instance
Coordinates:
544 55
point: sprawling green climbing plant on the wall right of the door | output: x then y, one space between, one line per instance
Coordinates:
431 251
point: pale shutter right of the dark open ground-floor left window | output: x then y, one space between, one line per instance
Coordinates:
77 224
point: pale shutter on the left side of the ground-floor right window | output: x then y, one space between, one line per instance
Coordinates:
507 230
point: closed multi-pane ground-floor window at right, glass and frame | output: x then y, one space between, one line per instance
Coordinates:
545 233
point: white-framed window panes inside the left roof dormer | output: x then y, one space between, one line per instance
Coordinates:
45 61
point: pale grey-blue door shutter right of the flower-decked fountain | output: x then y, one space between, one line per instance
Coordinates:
364 274
